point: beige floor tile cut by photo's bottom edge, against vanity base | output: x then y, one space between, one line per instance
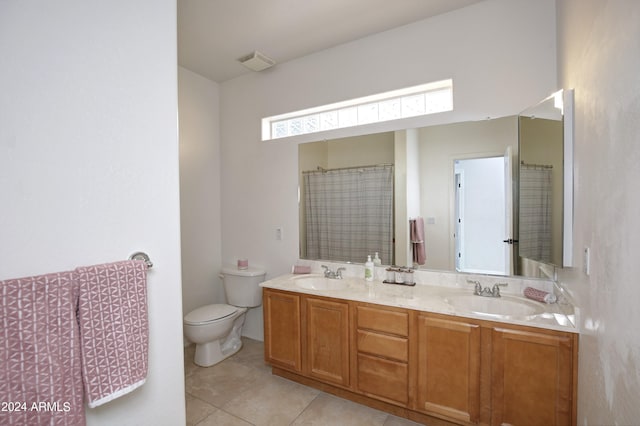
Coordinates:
330 410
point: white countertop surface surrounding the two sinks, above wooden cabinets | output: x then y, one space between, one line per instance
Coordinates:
430 298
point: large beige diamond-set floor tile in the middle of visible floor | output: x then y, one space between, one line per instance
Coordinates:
272 401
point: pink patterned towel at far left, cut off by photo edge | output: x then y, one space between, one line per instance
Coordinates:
40 368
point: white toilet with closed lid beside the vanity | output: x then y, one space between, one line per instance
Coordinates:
216 329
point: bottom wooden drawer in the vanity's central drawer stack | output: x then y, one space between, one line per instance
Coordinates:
383 378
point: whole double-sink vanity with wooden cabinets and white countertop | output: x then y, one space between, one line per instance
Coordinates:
428 353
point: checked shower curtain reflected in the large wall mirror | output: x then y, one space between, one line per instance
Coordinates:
349 213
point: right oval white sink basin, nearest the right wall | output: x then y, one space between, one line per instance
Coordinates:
497 307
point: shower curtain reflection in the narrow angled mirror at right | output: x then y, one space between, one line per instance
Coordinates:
535 213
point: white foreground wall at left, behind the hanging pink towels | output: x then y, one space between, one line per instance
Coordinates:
89 163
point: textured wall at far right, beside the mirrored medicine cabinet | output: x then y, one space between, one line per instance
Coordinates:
598 45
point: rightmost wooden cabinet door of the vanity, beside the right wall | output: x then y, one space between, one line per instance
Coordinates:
532 378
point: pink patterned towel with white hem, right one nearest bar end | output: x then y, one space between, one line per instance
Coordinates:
114 329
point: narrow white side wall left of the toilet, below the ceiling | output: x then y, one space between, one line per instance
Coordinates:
198 109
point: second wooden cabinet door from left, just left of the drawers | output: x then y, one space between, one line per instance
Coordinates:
327 340
